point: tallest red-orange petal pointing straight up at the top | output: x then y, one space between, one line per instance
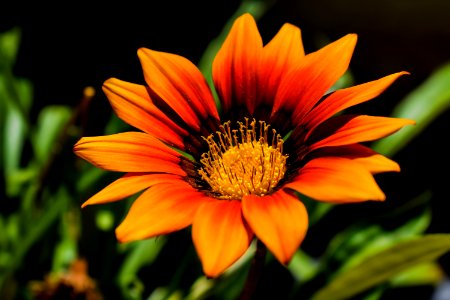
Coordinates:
235 66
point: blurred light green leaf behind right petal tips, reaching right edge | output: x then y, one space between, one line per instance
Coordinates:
424 104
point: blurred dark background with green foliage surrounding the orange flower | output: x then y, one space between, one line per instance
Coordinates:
50 54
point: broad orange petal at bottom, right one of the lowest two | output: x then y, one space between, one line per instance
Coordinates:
279 220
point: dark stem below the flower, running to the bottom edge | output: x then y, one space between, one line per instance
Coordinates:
255 272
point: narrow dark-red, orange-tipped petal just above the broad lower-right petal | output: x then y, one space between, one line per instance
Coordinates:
366 157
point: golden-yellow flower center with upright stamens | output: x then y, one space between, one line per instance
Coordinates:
243 161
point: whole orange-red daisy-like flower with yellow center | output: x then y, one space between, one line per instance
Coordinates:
234 173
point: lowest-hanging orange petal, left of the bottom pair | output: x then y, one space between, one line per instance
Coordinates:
220 235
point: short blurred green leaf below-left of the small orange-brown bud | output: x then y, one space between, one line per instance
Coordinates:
51 121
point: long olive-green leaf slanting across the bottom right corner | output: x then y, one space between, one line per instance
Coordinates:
384 265
